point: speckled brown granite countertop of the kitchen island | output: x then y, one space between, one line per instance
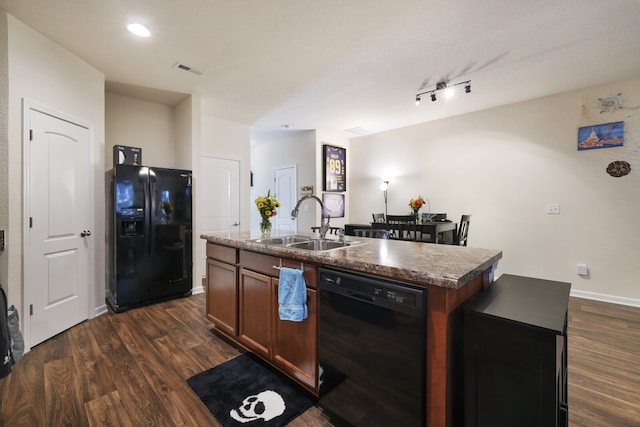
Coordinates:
423 263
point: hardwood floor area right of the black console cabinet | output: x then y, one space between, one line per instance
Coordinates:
604 364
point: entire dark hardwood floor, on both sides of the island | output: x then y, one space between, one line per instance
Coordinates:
130 370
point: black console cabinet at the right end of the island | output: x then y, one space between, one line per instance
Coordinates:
515 350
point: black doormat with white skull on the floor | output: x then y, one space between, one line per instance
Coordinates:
245 391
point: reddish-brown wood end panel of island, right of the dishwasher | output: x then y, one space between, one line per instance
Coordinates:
443 328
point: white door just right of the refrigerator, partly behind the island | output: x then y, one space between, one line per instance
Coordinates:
218 192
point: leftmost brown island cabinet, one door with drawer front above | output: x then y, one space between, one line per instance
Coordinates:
222 288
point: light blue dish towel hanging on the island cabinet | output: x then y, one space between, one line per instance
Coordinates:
292 295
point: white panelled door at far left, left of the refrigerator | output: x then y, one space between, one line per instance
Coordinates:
57 270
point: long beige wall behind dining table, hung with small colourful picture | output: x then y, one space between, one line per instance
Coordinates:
503 166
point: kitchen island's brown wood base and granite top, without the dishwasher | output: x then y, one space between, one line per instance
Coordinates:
242 279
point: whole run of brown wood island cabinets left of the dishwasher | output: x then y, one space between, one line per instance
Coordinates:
242 302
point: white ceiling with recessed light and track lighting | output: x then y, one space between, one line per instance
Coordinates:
341 64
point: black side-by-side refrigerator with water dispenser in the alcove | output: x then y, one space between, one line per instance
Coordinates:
149 235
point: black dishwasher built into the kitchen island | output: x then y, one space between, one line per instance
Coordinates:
372 337
